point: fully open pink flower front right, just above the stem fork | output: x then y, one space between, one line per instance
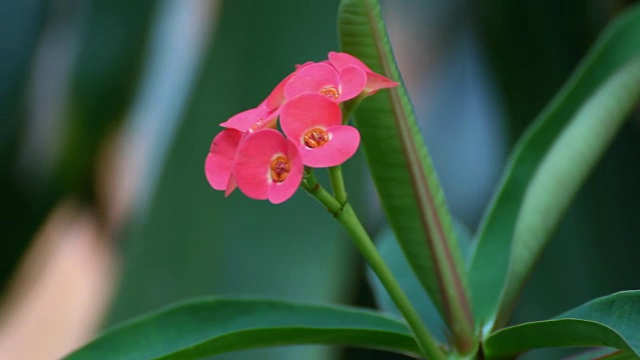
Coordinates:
314 123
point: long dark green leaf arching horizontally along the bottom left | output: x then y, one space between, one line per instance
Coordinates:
213 326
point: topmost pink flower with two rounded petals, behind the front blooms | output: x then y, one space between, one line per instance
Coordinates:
322 78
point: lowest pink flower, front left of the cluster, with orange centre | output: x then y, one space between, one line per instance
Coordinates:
267 166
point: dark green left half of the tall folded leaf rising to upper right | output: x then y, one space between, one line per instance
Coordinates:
489 265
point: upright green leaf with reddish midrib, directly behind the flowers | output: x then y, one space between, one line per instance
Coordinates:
403 173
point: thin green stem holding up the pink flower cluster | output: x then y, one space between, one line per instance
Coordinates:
347 218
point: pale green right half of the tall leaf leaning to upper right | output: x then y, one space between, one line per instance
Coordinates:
564 170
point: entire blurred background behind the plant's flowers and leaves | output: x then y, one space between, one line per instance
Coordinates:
108 107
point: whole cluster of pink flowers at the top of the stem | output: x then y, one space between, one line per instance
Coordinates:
251 154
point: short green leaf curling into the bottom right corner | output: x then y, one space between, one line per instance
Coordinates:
611 321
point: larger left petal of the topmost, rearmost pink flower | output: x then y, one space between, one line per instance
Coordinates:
312 78
